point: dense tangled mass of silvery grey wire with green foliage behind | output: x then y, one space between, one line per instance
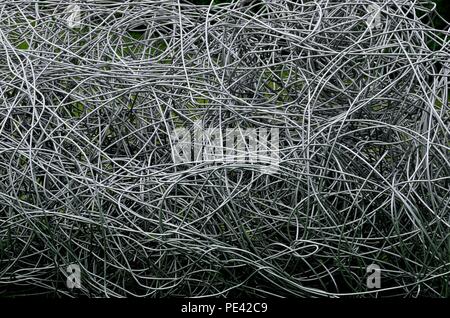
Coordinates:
88 102
